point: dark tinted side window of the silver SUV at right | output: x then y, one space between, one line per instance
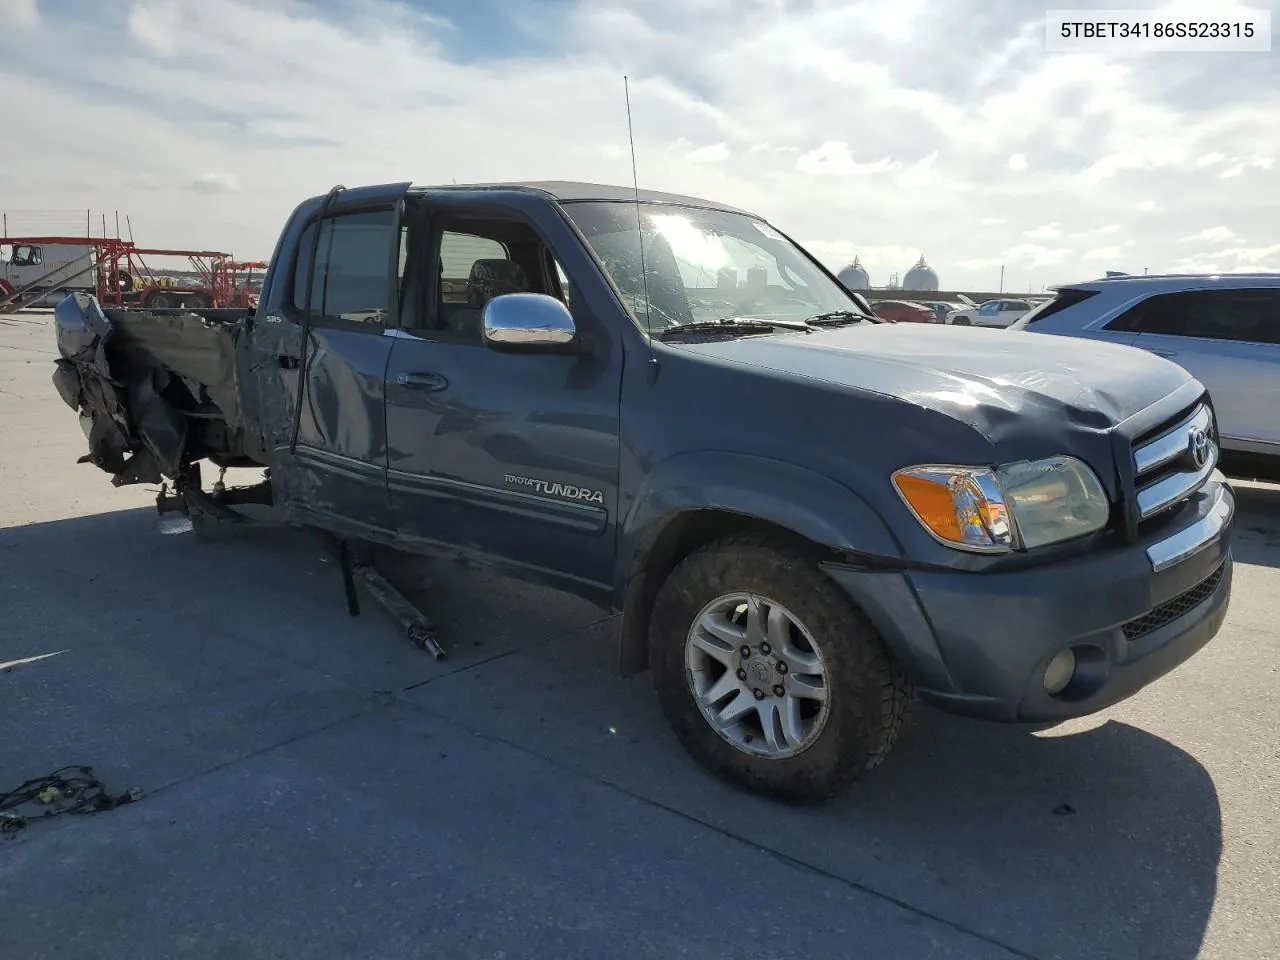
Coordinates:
1220 316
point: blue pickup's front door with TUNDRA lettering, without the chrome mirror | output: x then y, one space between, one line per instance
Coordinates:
511 456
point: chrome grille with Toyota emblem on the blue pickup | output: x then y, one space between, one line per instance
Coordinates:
1173 463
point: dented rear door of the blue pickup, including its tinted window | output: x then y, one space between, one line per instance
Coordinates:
331 463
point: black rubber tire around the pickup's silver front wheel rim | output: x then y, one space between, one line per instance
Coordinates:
868 697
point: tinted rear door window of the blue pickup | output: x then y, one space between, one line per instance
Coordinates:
351 272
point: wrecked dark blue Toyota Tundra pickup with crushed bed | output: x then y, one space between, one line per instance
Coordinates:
808 518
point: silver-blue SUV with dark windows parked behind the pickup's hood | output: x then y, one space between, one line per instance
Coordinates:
1226 331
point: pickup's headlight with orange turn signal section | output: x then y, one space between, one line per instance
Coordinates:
1023 505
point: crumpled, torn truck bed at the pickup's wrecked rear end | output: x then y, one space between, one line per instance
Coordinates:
154 390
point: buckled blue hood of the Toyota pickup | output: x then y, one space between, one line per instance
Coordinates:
989 380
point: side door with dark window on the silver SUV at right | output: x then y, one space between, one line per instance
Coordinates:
1229 340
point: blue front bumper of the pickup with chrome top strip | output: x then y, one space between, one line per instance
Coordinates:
979 643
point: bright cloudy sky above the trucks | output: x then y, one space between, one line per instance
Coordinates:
881 129
